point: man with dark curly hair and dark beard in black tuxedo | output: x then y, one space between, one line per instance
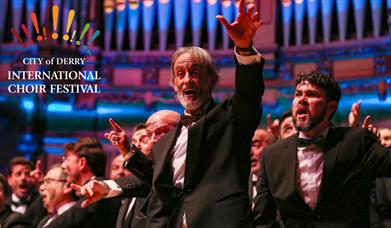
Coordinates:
322 175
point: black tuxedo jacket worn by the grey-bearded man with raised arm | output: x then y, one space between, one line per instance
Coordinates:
215 192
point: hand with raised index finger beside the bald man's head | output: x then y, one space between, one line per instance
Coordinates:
118 138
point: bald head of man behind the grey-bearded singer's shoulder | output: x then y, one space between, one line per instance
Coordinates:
161 122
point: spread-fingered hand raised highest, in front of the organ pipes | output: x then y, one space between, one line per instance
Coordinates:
243 29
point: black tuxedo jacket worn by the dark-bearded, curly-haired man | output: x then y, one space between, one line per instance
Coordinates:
352 159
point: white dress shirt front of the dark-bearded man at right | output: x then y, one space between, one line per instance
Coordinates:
309 171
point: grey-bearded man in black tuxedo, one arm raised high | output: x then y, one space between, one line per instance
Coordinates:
201 168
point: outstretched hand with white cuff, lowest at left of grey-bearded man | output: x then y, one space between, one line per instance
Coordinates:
93 191
